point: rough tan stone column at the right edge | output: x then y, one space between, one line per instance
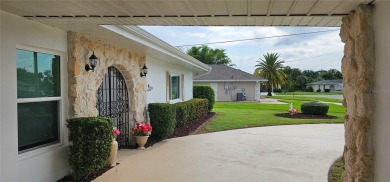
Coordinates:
358 66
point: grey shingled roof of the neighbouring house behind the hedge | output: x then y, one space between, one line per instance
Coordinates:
226 73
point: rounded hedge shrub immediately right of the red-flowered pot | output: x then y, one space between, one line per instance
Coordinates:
162 118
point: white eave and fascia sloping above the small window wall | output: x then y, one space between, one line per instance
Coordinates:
141 36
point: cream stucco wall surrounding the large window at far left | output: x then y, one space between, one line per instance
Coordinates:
44 164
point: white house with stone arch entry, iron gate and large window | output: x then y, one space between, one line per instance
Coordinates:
44 82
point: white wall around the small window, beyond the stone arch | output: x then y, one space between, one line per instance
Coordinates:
156 78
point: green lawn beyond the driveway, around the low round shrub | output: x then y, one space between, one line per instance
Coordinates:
236 115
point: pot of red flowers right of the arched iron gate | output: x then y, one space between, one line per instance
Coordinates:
141 131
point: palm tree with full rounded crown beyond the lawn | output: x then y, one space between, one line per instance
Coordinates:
270 68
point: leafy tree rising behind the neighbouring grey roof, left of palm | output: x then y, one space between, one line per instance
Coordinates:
209 55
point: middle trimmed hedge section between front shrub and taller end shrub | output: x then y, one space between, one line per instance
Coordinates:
190 110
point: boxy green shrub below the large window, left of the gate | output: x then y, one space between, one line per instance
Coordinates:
90 144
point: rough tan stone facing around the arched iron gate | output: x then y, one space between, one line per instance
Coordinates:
83 85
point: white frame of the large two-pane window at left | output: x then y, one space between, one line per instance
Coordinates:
61 105
